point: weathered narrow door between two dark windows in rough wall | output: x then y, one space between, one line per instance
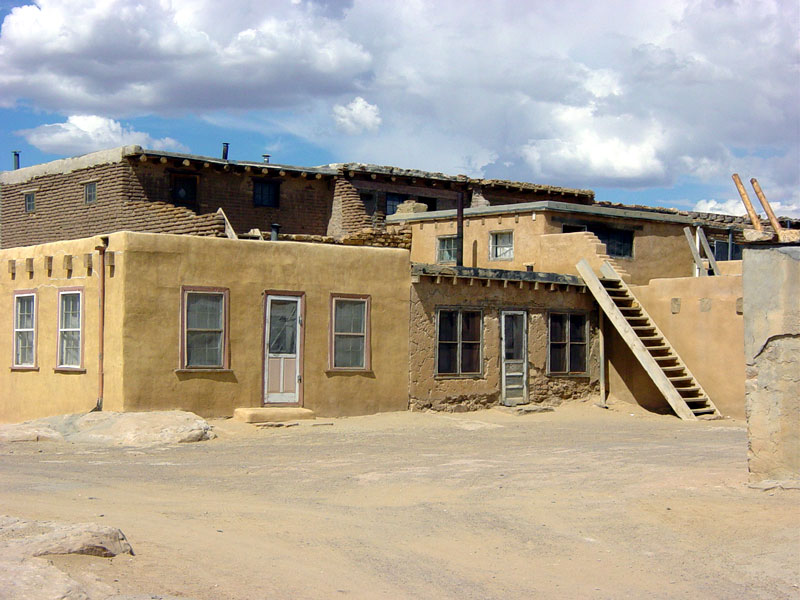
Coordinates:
515 357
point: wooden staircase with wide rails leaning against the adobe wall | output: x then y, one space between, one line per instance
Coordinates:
670 375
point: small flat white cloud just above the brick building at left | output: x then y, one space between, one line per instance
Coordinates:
87 133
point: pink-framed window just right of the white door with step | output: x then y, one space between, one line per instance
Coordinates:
350 333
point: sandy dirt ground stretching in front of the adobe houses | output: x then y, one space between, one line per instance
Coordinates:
579 503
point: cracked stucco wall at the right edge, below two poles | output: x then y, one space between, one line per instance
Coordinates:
771 279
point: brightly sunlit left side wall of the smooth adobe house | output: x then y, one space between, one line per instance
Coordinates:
30 394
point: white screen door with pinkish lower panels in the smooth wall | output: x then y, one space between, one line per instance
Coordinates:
282 357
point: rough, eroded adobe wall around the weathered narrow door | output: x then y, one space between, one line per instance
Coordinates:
427 390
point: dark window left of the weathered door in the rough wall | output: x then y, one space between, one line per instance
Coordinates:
458 336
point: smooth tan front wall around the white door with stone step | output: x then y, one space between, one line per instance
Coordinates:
156 266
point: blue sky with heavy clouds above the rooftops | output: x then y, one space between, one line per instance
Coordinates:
644 102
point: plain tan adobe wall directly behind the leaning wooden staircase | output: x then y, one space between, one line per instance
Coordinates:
701 317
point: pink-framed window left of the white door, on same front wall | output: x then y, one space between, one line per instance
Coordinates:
204 336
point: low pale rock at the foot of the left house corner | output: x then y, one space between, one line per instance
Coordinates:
113 428
